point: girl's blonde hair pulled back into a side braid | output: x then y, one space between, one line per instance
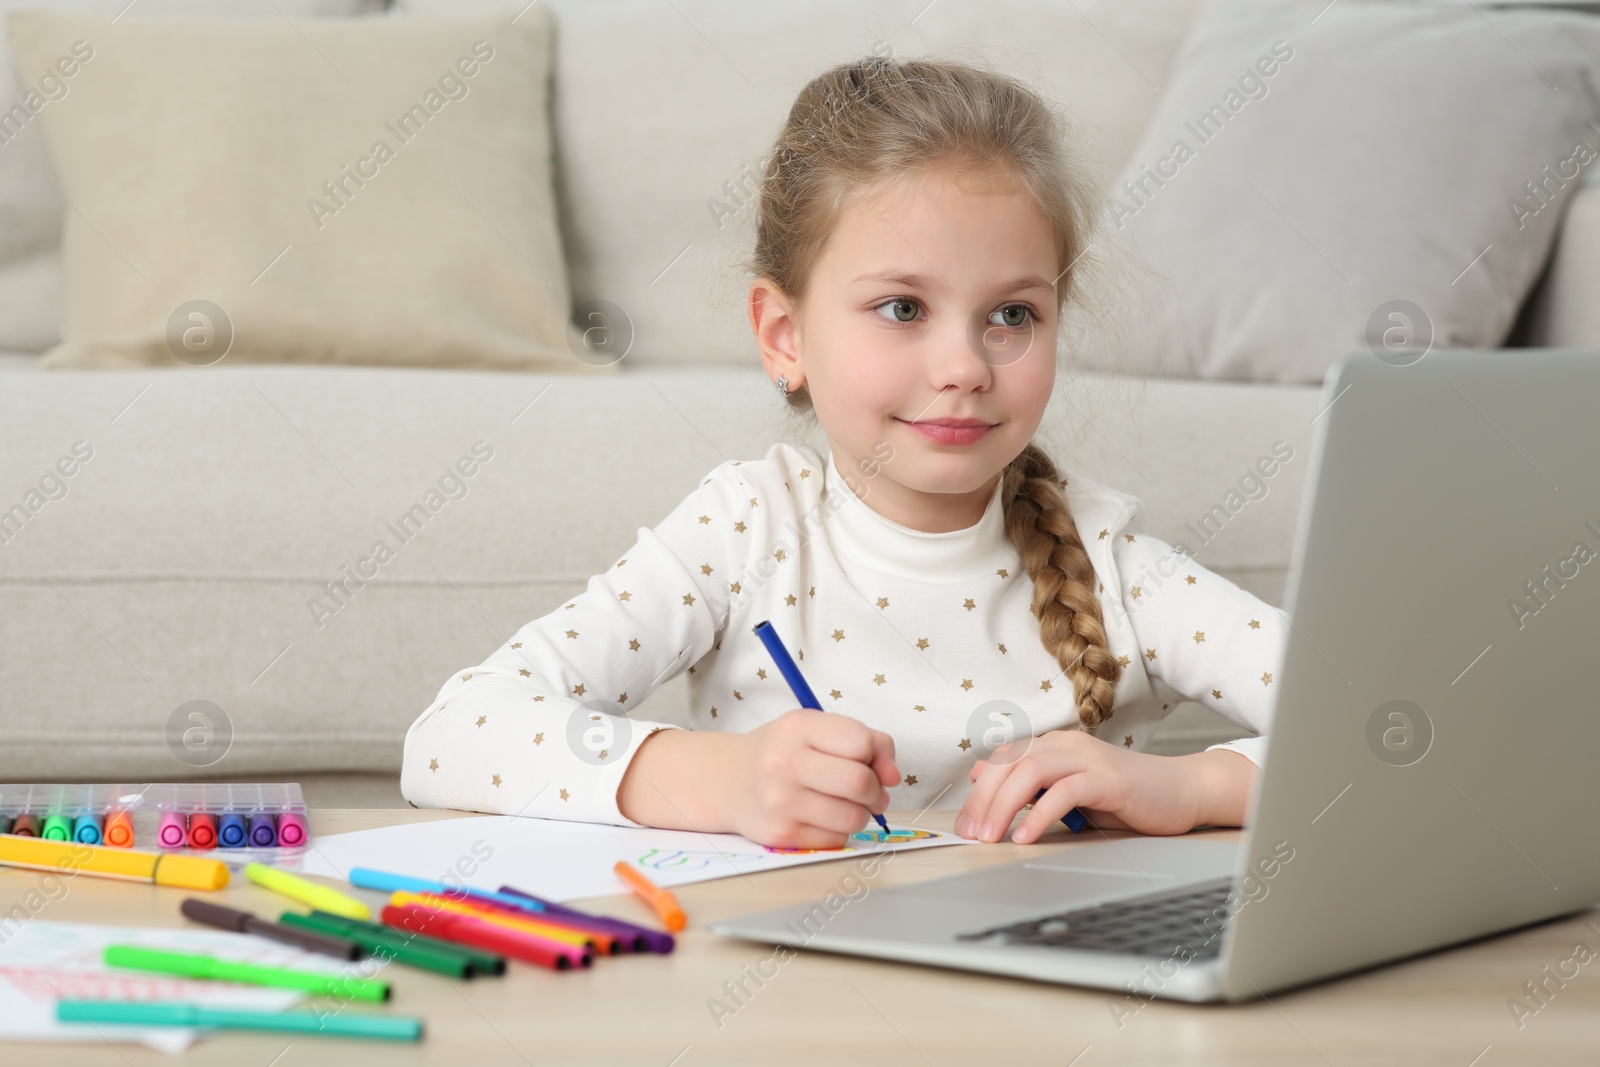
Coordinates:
878 121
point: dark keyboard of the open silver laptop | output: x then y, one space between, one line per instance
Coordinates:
1150 925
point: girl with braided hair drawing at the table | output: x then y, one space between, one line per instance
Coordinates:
945 589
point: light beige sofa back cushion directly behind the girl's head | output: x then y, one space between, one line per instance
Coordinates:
665 110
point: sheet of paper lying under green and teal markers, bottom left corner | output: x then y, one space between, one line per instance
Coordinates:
44 962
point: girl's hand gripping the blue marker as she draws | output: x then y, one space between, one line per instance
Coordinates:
809 780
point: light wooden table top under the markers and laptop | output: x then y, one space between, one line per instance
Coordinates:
655 1012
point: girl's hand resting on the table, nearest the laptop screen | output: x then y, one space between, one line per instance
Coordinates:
1116 788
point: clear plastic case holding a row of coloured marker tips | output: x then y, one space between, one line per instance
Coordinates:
238 821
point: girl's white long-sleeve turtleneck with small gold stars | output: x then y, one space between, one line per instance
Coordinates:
929 637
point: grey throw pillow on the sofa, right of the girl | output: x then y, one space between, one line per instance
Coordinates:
1378 154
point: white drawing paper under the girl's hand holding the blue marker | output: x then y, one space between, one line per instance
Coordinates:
569 861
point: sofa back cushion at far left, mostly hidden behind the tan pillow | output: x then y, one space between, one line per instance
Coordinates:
31 212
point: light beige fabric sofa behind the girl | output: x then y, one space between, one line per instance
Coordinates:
183 583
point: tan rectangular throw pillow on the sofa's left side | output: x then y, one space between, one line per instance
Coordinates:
202 156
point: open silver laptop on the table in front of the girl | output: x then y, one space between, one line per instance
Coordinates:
1430 773
